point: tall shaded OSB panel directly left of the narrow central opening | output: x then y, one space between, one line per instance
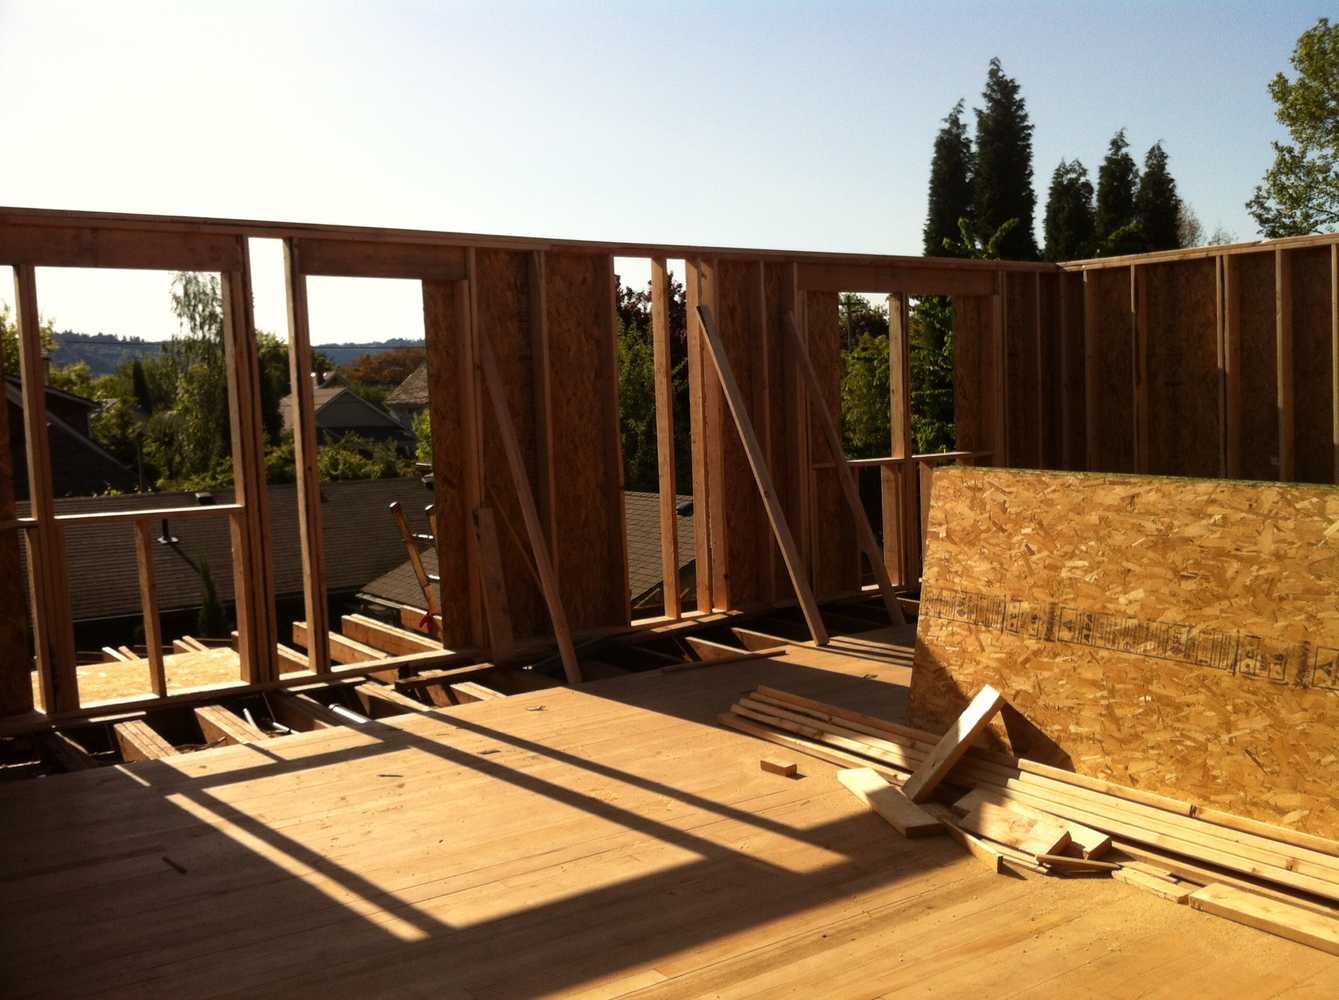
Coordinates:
588 489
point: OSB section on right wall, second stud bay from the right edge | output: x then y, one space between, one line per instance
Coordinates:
1253 290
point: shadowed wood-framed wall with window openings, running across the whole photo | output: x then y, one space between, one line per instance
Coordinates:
1210 362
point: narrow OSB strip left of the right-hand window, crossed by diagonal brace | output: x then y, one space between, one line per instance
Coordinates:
834 532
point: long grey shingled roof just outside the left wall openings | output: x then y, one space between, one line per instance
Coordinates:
104 575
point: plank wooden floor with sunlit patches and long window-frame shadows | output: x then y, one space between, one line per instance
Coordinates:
597 843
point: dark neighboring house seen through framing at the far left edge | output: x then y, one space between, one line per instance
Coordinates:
80 467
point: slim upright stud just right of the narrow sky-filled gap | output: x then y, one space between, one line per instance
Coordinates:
310 517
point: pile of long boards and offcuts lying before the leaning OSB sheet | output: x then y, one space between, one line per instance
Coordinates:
1018 815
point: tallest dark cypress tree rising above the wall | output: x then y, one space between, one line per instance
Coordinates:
1004 177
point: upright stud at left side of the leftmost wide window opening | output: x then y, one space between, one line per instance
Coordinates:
48 568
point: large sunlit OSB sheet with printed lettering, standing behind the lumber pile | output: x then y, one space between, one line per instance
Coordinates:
1175 635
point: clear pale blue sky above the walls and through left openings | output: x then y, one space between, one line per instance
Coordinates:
803 127
